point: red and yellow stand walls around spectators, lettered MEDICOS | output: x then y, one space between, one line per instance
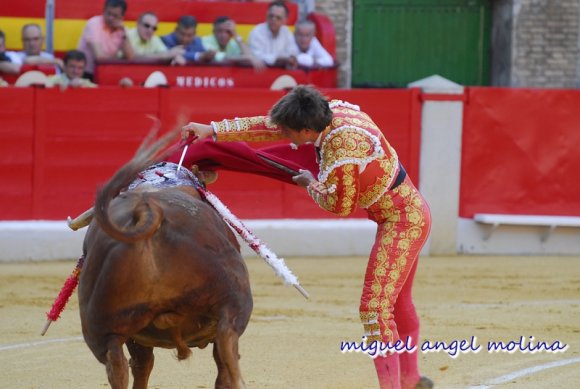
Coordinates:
71 16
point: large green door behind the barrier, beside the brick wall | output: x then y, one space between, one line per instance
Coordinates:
396 42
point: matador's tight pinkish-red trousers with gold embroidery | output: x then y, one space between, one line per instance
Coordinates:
386 306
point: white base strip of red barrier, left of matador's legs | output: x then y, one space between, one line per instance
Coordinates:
50 240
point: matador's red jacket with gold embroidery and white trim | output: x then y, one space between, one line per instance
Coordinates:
357 164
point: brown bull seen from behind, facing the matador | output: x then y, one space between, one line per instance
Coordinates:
161 269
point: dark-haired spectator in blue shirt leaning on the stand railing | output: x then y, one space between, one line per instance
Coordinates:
184 35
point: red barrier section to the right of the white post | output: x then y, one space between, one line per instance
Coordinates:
520 152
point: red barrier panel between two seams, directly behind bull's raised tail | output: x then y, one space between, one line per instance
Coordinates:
79 145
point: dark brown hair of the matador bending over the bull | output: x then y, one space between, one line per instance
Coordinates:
304 107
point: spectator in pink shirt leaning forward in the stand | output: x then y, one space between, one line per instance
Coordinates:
104 36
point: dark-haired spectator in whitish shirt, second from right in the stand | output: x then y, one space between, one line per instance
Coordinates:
271 41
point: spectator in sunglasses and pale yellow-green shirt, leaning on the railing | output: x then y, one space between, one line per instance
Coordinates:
148 45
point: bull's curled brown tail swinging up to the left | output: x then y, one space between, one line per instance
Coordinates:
147 215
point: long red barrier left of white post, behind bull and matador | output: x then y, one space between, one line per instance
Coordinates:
58 146
